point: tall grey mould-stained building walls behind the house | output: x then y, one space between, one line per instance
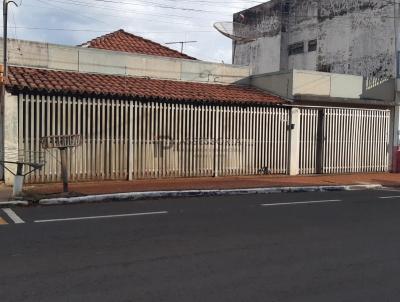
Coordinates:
354 37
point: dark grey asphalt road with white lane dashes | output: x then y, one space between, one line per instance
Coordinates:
337 246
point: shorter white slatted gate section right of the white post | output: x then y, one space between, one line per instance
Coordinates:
334 140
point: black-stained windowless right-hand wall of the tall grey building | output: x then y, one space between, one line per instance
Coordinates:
360 43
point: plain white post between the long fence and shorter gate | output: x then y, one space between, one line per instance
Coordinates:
294 142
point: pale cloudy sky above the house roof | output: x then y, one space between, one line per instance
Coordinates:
73 22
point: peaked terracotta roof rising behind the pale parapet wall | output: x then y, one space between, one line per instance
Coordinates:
121 40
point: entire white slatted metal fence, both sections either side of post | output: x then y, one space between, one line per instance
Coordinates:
130 139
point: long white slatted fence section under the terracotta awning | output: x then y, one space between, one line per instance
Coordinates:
129 139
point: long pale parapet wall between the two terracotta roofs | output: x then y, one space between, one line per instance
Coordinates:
59 57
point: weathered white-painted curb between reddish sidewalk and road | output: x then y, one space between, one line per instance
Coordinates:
197 193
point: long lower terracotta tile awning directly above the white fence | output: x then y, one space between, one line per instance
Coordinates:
22 79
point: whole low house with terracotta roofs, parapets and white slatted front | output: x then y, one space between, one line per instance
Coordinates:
146 111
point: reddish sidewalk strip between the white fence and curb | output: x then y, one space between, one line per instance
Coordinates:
210 183
